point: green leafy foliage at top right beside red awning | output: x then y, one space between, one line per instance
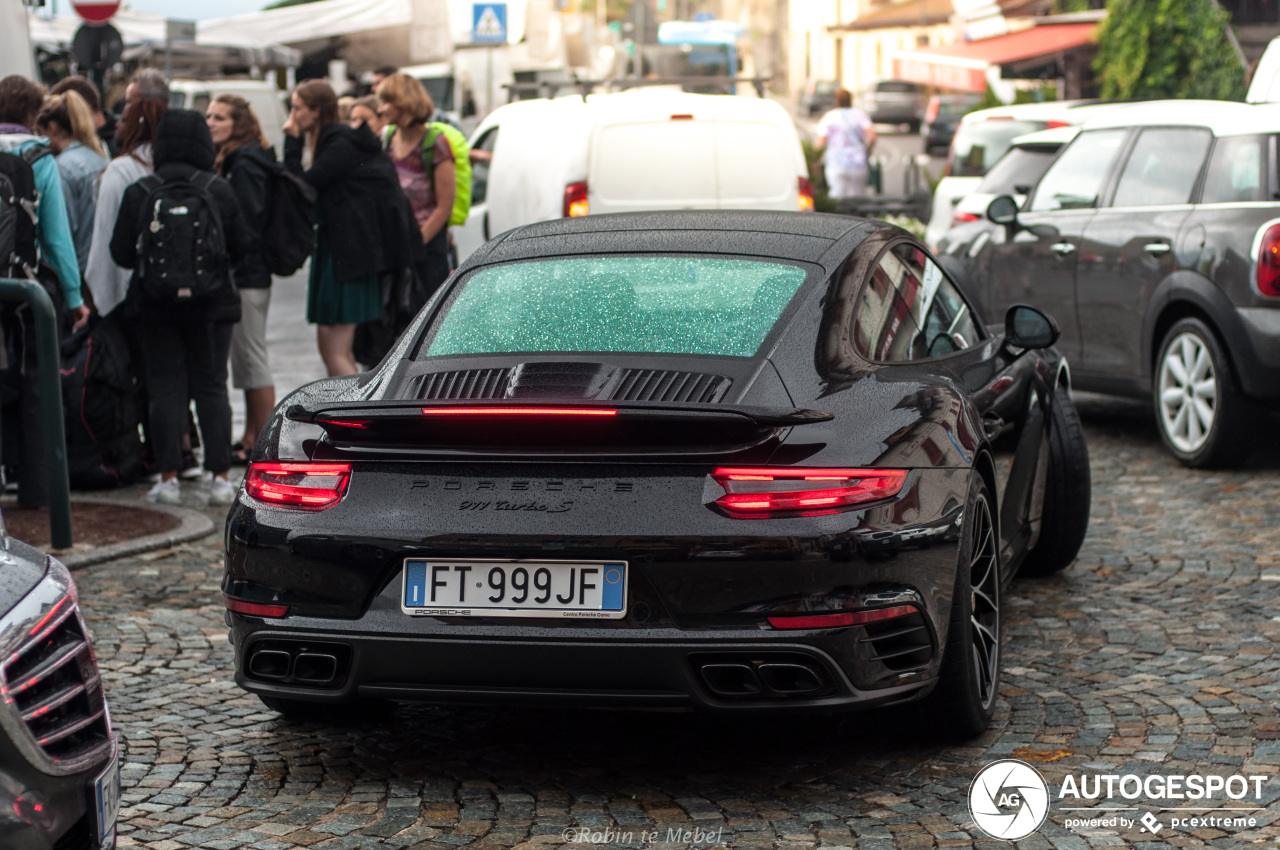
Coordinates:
1168 49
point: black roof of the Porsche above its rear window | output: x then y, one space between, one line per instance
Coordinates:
803 237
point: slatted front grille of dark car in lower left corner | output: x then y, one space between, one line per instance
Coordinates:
56 688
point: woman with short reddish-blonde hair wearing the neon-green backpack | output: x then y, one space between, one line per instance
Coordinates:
424 164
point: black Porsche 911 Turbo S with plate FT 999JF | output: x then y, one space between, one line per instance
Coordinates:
737 461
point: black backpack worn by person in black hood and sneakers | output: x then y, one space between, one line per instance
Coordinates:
182 246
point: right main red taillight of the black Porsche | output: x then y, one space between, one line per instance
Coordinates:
762 491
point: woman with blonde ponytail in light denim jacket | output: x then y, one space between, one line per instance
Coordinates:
68 122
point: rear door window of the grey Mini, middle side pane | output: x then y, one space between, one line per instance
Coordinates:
1163 168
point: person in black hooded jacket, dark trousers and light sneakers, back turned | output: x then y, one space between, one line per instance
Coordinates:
186 346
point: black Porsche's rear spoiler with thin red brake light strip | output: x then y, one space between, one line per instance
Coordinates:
550 428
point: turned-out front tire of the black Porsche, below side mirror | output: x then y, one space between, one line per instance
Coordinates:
1066 517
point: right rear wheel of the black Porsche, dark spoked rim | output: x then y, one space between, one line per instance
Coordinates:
964 701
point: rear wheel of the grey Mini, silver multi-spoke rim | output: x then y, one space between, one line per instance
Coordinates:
1203 417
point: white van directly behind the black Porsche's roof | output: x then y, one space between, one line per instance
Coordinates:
629 152
